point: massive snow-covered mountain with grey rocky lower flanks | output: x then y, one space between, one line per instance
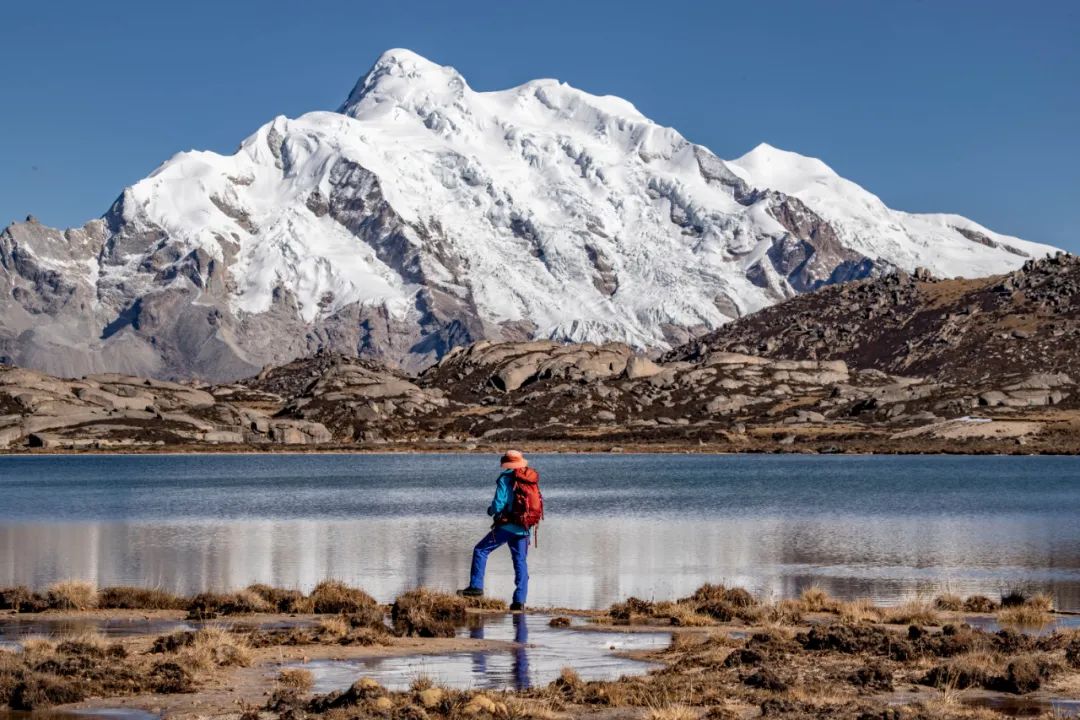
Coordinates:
424 214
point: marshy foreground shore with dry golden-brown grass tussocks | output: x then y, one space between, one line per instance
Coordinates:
730 657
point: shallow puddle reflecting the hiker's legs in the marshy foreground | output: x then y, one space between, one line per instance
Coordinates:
545 651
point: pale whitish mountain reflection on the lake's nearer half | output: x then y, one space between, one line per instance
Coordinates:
579 564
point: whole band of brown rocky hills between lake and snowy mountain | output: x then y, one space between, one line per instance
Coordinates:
901 363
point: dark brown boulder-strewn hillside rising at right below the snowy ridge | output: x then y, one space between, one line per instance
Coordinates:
953 331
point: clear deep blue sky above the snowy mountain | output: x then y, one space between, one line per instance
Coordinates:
966 106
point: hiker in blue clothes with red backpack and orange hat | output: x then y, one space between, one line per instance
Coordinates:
517 510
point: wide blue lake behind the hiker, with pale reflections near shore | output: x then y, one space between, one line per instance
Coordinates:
655 526
